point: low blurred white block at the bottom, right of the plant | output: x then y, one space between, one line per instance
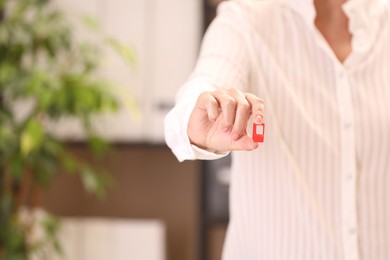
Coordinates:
114 239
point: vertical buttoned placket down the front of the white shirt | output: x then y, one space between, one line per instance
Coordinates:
348 168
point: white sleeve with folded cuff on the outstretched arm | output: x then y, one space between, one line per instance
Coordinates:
222 63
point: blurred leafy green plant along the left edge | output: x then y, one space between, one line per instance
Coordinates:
42 65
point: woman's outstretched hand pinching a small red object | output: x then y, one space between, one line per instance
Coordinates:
219 120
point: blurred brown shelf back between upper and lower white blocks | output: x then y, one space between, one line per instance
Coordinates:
150 184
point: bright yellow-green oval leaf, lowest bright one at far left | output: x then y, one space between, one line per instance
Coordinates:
31 137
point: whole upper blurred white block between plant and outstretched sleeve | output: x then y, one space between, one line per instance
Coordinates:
165 35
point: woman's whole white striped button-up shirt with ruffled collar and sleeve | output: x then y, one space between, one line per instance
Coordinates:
319 186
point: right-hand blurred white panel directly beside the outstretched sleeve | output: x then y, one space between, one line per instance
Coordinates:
177 27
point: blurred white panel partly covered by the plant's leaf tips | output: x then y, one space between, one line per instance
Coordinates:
127 21
